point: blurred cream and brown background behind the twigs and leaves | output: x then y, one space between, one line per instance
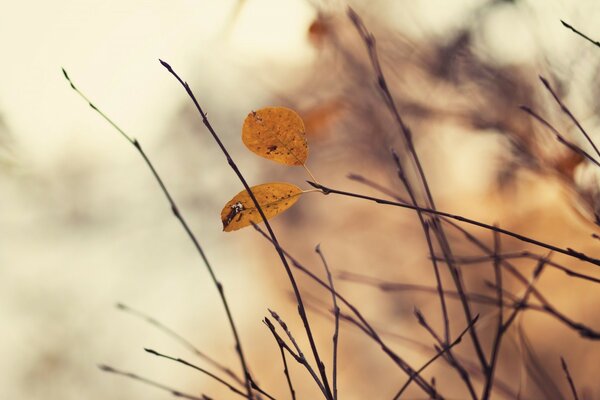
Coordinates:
83 224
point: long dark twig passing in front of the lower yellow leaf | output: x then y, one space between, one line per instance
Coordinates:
234 167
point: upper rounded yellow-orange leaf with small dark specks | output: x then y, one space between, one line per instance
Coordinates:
276 133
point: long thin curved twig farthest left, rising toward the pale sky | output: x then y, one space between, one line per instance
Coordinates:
184 224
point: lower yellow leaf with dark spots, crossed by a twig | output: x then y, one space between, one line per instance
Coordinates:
273 198
